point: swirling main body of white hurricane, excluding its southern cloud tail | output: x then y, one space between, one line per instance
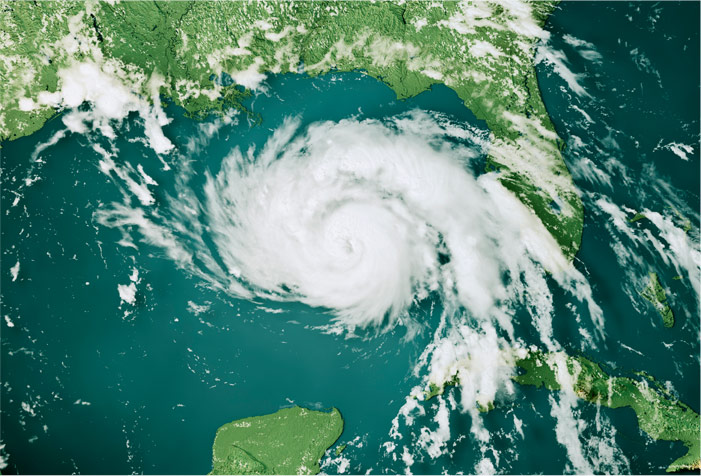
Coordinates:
363 218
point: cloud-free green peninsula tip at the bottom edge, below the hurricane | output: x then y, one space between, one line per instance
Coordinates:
289 441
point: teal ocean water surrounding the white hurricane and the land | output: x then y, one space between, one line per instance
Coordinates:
93 383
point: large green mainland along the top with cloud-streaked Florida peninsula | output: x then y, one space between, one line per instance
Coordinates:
484 52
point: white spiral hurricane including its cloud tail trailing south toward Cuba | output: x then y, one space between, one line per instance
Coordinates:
365 219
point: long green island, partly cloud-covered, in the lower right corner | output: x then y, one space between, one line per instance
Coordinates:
659 413
